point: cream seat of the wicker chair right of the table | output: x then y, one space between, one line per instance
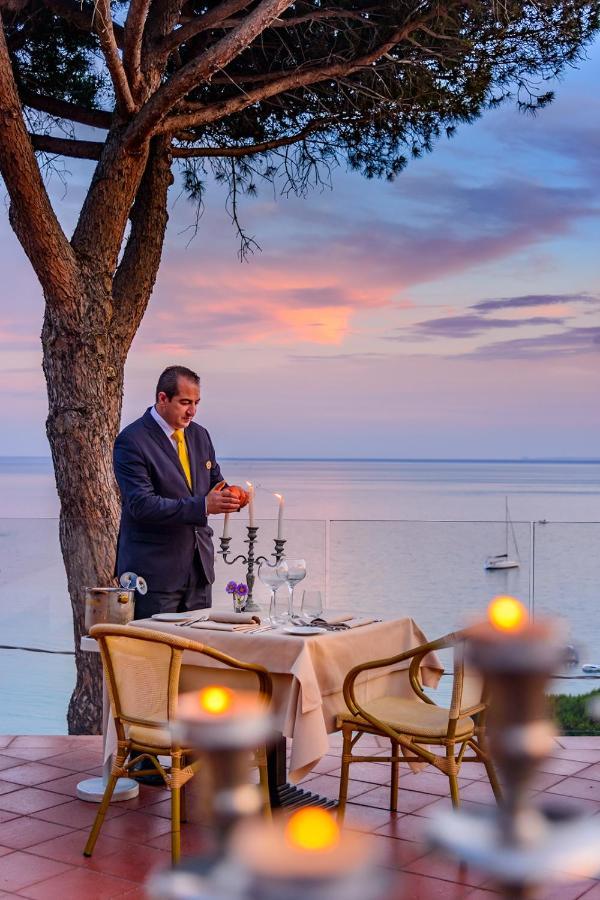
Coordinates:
411 717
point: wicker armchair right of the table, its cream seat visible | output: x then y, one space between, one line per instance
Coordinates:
414 724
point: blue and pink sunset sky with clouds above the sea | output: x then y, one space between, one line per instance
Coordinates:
452 313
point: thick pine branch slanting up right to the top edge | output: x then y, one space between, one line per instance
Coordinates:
201 69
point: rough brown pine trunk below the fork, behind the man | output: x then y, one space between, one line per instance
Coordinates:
84 374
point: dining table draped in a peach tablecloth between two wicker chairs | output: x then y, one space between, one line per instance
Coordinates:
308 672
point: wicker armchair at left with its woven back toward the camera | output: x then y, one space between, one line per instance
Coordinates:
142 669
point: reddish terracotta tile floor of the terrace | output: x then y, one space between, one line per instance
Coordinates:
43 827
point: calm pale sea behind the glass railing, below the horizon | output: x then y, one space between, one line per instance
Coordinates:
391 537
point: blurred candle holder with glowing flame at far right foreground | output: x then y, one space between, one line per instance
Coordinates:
519 845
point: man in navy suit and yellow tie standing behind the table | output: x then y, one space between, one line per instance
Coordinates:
164 535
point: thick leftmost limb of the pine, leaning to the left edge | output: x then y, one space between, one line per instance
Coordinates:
46 245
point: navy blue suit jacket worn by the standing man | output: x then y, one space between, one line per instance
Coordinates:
163 521
